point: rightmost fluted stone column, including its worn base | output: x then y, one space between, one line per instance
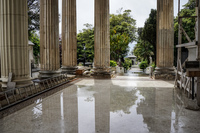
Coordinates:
165 39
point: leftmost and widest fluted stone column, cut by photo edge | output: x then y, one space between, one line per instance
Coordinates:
14 41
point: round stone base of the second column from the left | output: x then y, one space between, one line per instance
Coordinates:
48 74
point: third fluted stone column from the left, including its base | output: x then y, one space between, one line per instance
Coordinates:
69 40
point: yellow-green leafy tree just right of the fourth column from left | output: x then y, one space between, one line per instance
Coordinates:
122 32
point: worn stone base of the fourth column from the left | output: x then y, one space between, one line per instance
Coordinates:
102 73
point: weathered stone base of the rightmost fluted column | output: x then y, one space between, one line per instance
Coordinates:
164 73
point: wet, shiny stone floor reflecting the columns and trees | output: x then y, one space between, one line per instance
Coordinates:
125 104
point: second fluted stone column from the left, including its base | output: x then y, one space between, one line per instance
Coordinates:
49 39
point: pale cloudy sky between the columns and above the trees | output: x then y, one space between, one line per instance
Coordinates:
140 10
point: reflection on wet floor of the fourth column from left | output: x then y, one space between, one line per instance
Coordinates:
102 109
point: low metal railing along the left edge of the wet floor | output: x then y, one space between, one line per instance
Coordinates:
14 96
